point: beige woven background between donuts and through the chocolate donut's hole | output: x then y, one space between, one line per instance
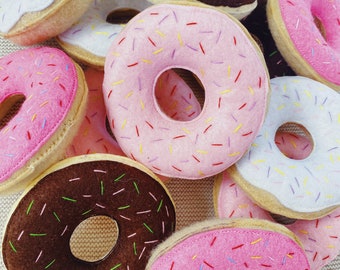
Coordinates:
193 200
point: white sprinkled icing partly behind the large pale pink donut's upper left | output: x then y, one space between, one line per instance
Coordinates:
92 32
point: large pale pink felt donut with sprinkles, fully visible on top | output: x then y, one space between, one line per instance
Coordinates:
167 36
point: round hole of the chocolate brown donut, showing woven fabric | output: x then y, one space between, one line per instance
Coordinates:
94 239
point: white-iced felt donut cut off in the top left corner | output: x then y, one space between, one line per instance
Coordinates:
26 22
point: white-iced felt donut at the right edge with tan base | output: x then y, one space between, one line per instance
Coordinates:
300 189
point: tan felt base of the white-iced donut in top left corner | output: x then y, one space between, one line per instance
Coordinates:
39 26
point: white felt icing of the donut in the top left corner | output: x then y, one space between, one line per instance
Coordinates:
12 10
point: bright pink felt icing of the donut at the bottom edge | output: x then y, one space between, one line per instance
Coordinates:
234 248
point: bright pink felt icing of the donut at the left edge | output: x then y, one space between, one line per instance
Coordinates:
48 80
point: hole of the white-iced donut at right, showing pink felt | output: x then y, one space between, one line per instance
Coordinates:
294 141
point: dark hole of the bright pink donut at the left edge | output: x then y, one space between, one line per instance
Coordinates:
9 108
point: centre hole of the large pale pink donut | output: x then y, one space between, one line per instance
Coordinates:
168 96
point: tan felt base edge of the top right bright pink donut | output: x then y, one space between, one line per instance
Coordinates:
287 48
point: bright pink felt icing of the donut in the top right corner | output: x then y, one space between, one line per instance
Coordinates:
323 55
